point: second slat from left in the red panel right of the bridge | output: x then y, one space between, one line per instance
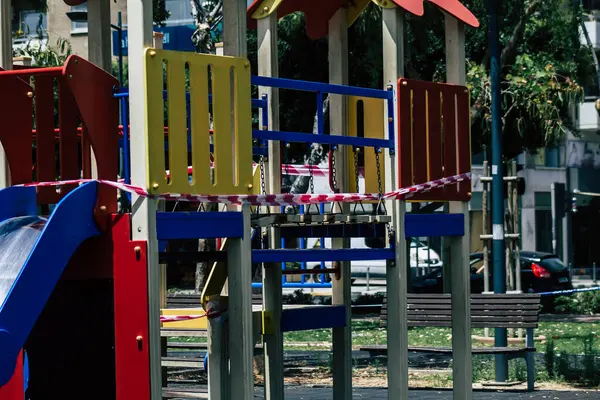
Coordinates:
419 120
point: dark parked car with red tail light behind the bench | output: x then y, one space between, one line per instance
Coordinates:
540 272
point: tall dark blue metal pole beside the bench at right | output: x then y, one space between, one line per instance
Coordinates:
500 339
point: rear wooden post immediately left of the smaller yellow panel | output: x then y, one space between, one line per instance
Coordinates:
341 287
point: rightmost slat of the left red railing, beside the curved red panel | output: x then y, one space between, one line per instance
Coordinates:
67 125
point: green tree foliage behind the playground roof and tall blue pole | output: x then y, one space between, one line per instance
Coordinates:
543 64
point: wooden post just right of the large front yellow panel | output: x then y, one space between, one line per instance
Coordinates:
268 65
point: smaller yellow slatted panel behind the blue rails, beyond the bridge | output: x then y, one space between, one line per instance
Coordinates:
374 127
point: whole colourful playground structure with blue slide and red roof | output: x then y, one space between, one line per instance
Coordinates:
86 303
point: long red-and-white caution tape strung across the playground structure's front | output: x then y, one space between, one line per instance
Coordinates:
277 199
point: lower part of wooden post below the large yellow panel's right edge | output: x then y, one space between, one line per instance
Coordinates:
239 269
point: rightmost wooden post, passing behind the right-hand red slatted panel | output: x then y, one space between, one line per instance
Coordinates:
462 371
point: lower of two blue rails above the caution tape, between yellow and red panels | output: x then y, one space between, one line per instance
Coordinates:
323 139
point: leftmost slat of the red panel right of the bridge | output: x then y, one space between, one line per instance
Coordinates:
404 139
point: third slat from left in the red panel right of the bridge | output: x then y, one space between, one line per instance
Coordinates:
434 117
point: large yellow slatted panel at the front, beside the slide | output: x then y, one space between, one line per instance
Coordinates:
231 121
